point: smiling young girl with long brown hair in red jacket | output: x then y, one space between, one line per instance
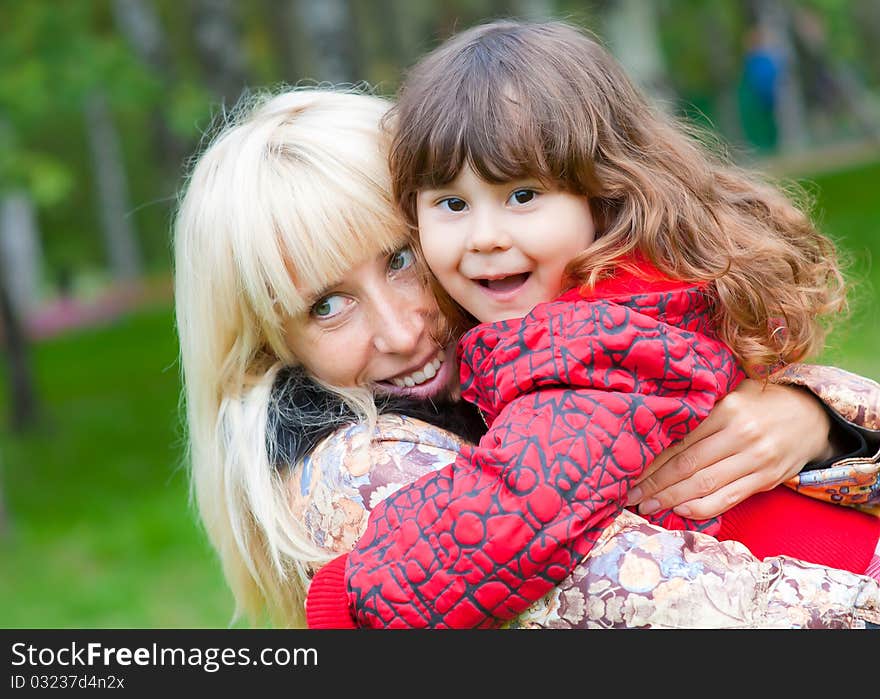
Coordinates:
535 171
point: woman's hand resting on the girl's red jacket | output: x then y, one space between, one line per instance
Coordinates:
754 439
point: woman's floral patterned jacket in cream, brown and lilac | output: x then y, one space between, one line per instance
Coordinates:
638 575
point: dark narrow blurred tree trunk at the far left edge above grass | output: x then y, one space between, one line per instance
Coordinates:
22 394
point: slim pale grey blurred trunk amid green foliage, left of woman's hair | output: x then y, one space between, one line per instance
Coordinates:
112 189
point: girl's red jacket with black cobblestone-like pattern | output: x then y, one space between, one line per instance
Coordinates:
580 396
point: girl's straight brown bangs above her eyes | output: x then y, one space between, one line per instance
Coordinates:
500 110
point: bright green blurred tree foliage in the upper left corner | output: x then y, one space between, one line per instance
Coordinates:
59 54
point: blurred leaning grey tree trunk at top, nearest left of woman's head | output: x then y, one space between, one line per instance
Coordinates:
138 22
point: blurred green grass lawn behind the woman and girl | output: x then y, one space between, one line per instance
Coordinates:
103 535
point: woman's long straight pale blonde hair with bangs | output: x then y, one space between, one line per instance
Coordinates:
291 193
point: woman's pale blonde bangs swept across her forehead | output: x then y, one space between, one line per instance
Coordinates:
309 201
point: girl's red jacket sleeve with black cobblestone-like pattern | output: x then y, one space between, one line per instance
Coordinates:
477 542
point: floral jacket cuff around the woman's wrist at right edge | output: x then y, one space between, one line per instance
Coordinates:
853 401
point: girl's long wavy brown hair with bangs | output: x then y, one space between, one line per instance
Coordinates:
544 100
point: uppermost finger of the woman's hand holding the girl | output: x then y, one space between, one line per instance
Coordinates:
681 466
